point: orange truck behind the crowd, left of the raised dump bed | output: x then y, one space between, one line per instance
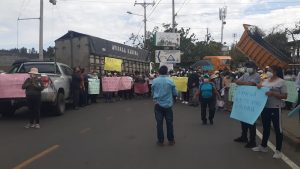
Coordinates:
219 62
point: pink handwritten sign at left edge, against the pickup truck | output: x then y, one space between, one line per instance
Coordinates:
11 85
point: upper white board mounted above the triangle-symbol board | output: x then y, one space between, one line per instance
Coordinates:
167 39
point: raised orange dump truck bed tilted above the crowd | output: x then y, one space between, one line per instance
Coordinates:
260 51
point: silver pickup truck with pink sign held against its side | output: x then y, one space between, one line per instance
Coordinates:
55 76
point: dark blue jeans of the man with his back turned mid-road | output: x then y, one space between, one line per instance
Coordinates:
160 114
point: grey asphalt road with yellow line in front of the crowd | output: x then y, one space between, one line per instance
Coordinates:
122 136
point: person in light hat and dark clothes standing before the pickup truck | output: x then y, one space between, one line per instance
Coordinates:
33 87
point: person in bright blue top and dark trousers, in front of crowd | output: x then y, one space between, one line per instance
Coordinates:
208 94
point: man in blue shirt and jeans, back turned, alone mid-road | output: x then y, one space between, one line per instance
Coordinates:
163 91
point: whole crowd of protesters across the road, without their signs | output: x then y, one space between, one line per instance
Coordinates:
210 90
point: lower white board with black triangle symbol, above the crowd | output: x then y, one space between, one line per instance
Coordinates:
167 56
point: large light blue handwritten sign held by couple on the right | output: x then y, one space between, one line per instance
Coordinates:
248 103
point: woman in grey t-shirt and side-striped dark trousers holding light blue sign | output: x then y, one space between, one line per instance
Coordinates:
272 110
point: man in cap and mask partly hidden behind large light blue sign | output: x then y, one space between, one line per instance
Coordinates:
250 78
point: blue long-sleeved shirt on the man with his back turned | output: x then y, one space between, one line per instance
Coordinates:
163 90
